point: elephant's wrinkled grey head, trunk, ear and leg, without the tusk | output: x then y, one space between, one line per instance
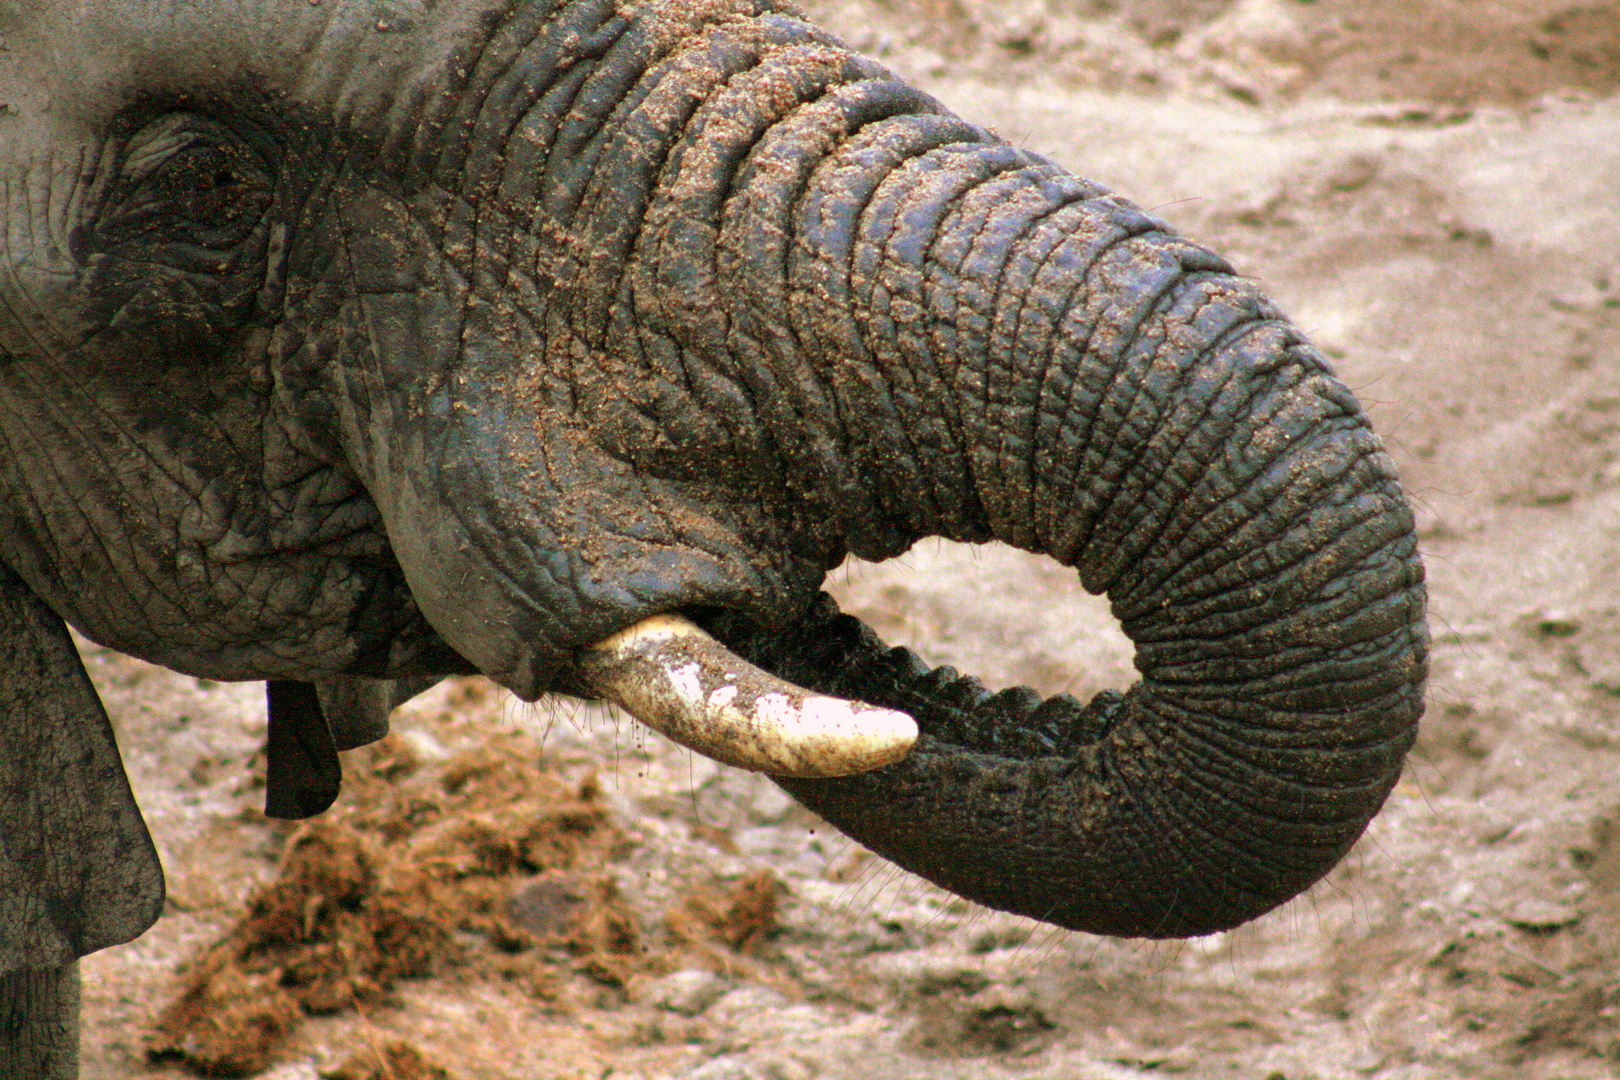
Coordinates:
341 347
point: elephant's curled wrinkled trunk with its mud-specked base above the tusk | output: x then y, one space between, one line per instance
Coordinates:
799 310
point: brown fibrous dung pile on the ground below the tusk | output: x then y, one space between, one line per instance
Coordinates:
422 870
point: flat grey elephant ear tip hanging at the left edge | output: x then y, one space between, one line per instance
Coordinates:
77 867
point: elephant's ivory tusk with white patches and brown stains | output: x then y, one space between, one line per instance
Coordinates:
680 681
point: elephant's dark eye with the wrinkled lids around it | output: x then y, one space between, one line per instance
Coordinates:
174 257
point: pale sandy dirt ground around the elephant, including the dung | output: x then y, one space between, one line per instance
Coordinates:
1433 190
